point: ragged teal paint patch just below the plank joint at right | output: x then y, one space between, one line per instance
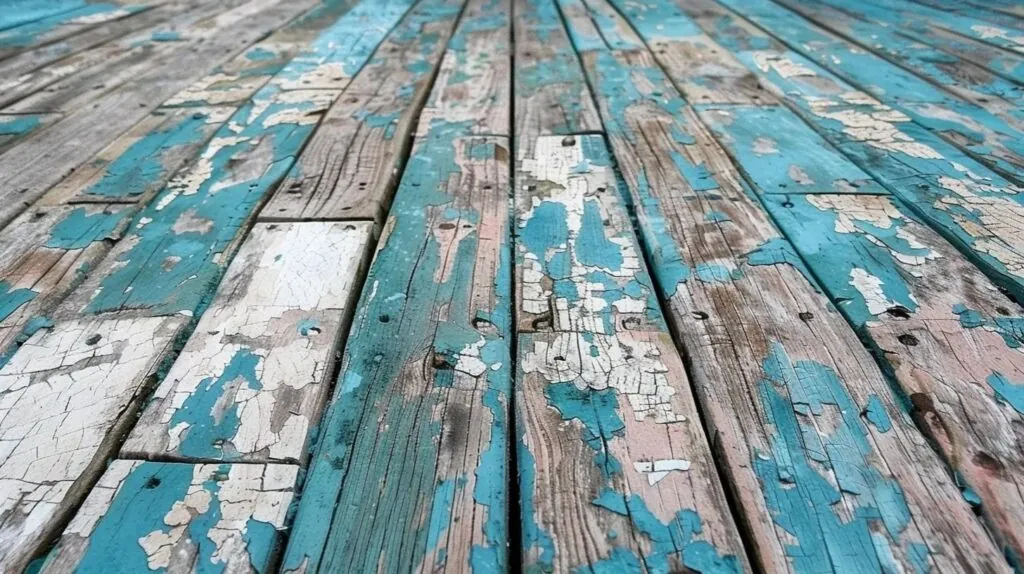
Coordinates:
834 256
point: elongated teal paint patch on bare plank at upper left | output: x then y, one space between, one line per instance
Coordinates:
142 168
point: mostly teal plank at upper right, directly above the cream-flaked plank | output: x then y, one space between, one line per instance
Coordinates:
995 138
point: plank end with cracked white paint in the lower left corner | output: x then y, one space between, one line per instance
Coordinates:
66 399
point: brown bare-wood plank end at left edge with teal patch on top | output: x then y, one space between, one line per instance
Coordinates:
45 255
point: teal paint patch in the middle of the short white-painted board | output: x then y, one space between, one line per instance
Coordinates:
209 431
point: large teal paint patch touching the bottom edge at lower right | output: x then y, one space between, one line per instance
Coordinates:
801 499
